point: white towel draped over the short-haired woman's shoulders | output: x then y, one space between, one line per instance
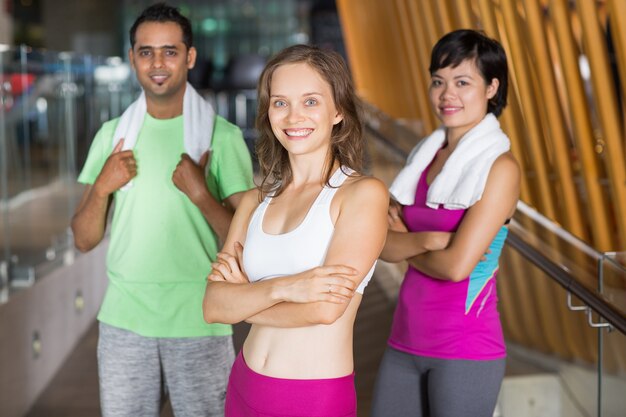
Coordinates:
462 179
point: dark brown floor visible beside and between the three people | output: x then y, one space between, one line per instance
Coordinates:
74 390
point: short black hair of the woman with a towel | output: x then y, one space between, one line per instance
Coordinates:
489 56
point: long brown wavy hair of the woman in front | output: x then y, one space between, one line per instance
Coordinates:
346 143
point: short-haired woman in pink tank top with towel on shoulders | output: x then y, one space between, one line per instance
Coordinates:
446 352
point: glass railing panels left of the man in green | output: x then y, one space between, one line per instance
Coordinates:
51 105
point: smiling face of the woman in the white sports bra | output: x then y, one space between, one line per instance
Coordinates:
302 111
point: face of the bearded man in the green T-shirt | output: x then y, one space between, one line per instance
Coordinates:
161 61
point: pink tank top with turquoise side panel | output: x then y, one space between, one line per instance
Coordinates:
445 319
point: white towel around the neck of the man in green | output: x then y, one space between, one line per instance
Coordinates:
198 121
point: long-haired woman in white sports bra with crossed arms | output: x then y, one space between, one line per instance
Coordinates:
302 246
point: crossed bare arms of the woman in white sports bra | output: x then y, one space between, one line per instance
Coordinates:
302 299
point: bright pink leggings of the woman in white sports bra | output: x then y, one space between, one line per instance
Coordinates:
250 394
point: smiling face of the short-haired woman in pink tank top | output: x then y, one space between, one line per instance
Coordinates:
459 97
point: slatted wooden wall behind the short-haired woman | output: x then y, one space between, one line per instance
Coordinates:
567 131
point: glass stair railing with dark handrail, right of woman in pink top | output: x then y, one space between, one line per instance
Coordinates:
561 298
